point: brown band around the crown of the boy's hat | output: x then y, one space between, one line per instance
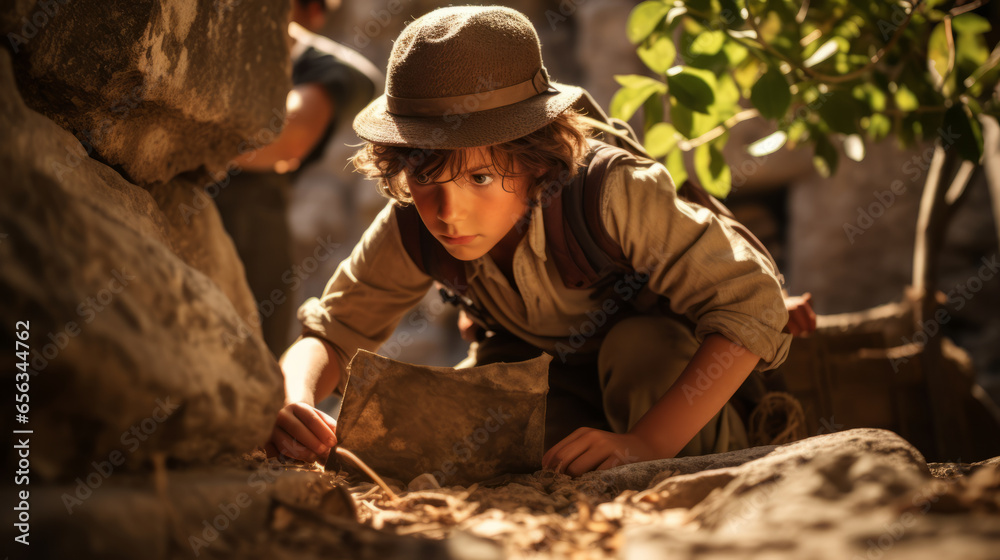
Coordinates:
472 102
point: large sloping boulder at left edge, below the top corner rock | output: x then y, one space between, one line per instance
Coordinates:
135 353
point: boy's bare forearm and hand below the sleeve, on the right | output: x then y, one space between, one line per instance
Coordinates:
670 424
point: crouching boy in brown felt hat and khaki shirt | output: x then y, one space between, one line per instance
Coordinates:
472 137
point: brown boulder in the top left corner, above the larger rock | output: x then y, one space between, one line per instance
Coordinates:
155 87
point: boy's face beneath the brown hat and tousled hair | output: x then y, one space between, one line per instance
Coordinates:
470 213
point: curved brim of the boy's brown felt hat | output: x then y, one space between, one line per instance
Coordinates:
458 130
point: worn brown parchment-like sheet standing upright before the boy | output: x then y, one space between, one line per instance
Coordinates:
461 425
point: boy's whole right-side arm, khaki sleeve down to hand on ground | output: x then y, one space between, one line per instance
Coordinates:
708 273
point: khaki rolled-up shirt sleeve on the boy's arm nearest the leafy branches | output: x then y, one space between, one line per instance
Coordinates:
707 271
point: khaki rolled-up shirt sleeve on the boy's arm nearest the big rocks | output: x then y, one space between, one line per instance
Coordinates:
368 294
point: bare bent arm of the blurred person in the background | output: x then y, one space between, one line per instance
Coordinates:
309 112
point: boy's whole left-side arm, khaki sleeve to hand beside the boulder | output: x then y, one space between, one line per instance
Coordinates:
362 304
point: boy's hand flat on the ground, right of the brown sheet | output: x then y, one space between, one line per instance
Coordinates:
587 449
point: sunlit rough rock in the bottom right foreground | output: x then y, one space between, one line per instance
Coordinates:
855 494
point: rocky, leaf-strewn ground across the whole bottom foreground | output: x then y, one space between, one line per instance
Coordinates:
853 494
